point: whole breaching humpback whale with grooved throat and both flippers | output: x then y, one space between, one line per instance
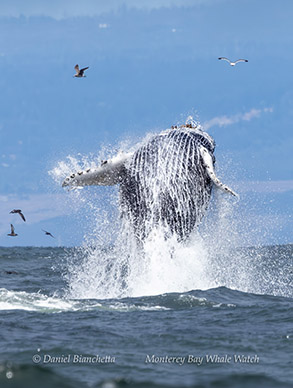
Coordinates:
167 181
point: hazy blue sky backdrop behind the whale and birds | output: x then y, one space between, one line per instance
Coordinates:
151 64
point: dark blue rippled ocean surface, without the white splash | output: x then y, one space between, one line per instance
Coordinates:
214 337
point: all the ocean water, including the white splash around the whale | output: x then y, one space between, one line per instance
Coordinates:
207 312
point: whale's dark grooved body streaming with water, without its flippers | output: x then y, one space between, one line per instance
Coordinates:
166 184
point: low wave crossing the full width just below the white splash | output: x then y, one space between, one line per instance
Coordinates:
220 297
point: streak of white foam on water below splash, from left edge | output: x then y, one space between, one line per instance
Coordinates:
42 303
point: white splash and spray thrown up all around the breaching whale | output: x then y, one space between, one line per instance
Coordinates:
111 264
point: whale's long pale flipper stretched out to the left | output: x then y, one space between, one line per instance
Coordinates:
108 174
